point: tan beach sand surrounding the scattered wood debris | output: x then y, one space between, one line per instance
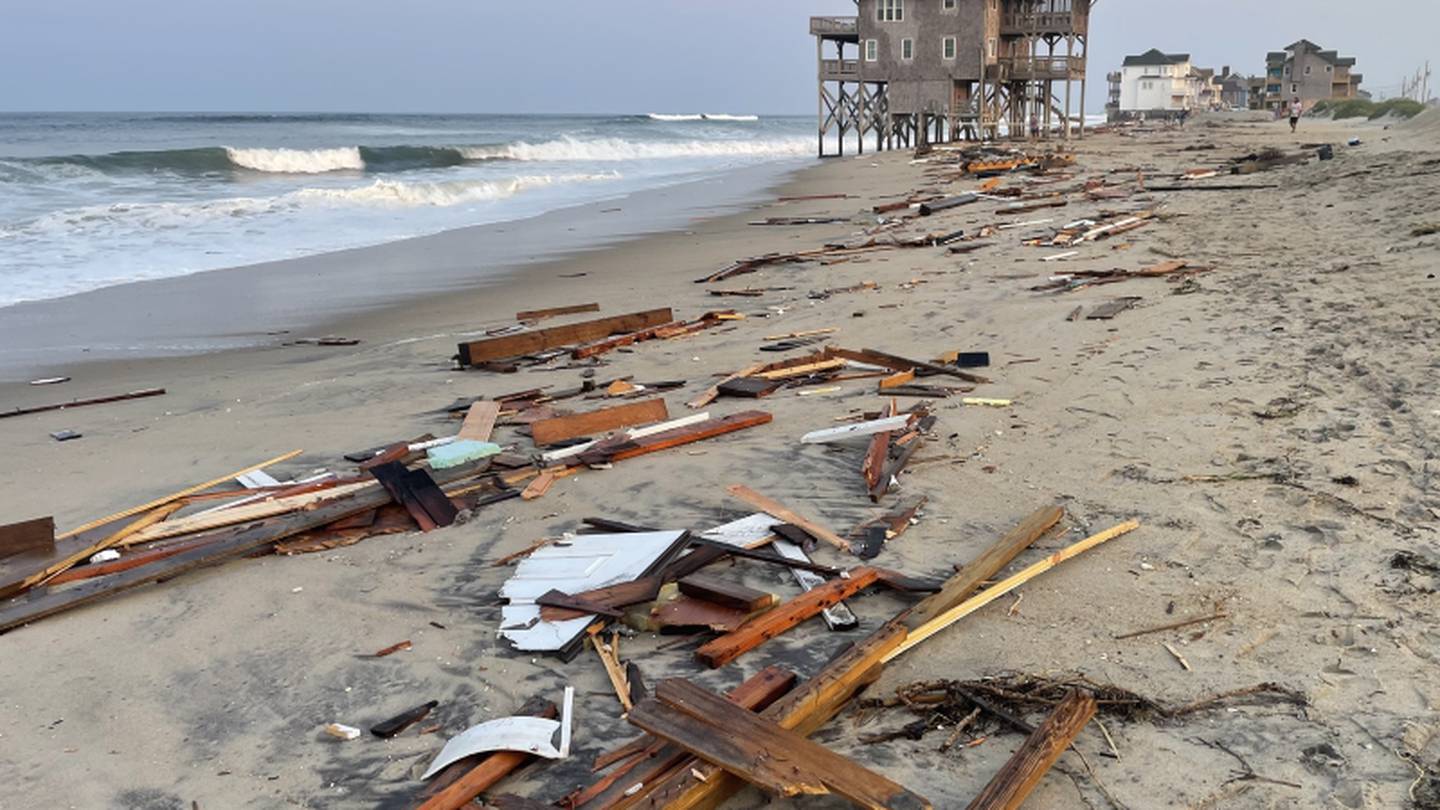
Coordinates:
1321 315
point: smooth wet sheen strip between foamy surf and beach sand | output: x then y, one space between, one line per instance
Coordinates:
264 305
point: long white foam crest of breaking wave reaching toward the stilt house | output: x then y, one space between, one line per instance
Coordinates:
620 149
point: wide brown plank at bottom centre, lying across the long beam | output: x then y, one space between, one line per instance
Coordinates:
761 752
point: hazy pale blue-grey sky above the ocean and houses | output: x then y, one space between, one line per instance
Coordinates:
577 55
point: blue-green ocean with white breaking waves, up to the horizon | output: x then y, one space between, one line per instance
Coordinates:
91 201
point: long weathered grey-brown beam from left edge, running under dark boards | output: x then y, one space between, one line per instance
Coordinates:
220 546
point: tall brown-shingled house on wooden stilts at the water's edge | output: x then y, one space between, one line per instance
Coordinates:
904 73
